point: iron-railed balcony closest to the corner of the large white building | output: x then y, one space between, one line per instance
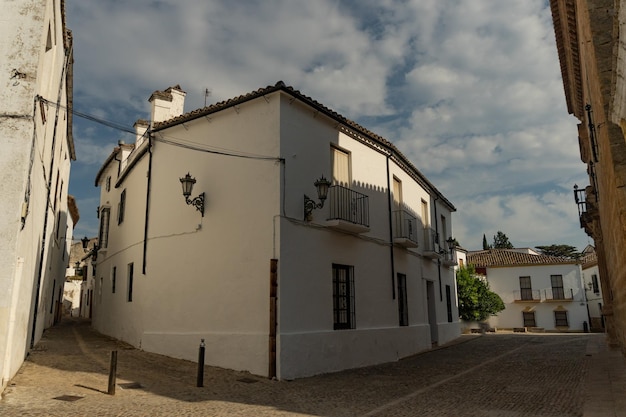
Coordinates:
348 210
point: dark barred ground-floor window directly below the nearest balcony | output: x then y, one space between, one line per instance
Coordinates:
343 296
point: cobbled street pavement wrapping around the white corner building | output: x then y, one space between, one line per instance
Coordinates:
479 375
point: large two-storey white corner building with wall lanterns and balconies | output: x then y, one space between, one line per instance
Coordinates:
363 277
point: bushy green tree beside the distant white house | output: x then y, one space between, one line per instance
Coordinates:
476 301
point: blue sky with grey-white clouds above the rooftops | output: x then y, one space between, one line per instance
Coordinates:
469 91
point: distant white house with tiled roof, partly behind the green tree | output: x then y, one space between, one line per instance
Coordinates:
539 291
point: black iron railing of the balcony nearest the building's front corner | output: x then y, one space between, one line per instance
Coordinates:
348 205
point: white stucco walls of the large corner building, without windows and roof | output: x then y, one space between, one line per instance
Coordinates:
208 277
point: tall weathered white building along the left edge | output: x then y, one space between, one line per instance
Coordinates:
37 147
